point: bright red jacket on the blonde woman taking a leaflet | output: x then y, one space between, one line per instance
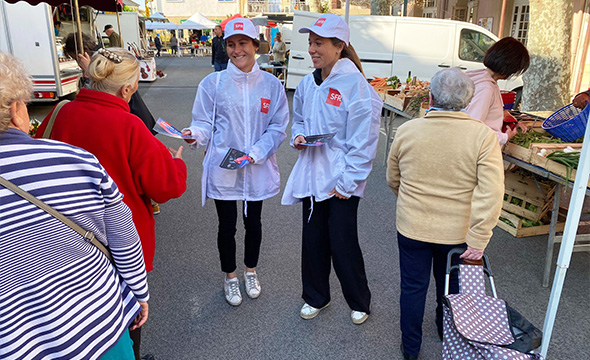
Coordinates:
140 164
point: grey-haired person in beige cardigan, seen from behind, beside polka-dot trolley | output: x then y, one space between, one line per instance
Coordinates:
446 167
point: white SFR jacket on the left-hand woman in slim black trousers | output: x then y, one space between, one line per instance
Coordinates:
251 114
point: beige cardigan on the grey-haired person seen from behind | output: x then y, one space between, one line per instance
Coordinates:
447 172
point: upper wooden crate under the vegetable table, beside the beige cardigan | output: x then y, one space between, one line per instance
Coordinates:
525 197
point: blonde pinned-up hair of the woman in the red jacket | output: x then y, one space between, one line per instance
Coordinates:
108 75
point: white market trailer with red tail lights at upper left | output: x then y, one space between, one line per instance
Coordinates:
27 32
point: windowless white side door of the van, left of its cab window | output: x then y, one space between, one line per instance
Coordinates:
422 47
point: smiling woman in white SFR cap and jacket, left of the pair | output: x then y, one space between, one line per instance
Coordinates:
246 109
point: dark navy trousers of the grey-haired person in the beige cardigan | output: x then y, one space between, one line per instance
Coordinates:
416 259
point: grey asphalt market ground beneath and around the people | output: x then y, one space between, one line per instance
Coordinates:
189 318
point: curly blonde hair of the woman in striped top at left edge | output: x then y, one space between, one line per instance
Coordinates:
15 85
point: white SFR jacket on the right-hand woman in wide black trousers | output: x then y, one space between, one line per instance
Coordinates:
344 104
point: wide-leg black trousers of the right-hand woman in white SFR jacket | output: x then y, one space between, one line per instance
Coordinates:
331 236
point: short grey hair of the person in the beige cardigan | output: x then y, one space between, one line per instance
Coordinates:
451 89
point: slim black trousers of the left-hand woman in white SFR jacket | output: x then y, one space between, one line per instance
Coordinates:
227 213
